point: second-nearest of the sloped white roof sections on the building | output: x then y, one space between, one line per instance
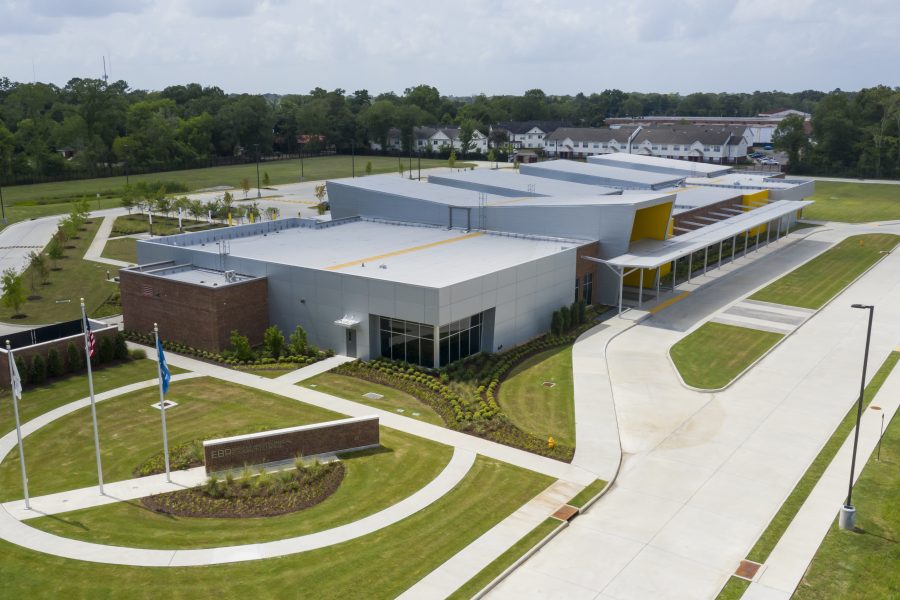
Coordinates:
512 180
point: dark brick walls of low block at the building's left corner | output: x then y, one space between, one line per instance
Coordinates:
196 315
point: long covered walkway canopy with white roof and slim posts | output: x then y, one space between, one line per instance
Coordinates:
652 254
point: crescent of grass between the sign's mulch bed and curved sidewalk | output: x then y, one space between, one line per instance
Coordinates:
406 461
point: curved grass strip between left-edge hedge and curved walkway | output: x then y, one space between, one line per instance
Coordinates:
36 400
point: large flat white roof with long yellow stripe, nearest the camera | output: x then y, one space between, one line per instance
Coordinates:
413 254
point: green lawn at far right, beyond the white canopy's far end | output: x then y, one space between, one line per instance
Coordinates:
854 202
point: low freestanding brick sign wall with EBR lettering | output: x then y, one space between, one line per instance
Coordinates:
319 439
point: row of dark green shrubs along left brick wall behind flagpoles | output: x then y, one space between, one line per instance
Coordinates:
40 367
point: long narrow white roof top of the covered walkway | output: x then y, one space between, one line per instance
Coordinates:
650 254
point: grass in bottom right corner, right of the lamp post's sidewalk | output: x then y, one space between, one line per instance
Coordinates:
864 564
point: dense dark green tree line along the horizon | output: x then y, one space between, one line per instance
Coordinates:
89 124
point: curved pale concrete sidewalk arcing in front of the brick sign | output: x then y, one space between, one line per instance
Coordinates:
16 532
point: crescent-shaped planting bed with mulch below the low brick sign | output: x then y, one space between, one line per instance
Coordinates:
261 495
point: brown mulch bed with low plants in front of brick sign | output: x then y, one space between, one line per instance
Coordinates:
242 502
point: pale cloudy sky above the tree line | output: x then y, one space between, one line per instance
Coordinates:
462 47
